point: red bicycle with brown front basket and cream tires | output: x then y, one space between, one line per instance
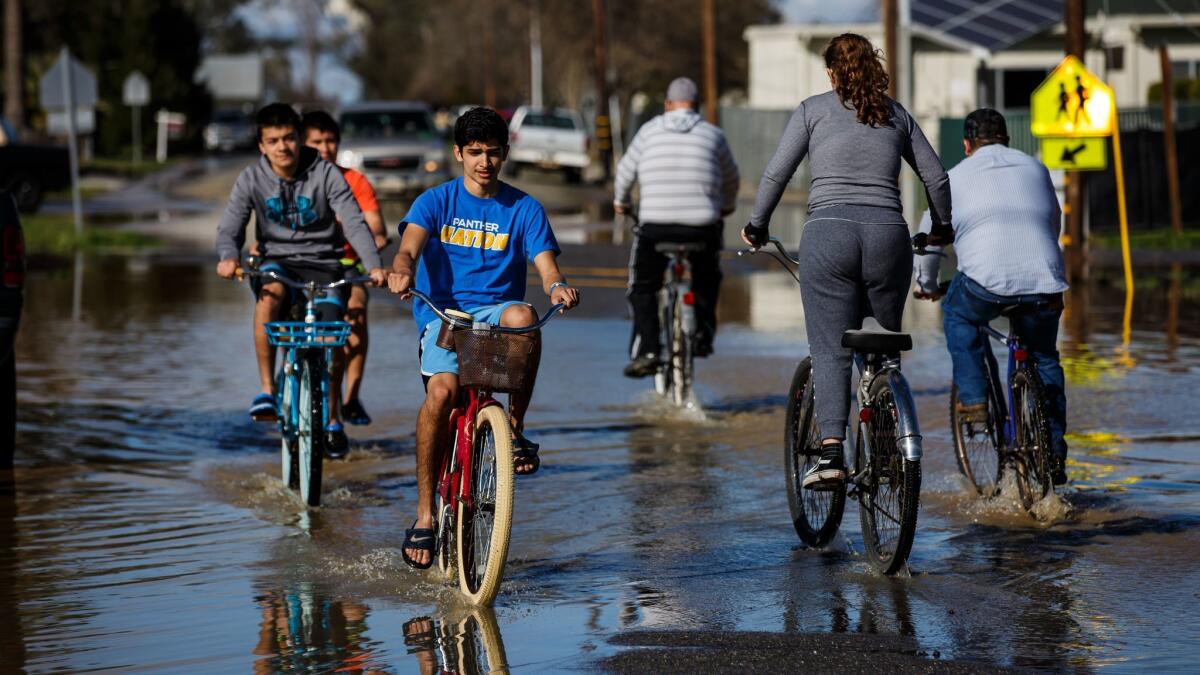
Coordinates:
475 491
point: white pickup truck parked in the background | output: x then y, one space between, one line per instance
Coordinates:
550 140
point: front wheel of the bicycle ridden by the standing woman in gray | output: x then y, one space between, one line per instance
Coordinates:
817 515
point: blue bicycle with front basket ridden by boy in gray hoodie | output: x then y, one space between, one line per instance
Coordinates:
303 383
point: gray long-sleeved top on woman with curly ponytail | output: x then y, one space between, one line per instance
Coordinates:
853 164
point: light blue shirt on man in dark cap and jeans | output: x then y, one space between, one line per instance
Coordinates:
1006 225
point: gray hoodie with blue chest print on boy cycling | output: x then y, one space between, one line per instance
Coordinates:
297 220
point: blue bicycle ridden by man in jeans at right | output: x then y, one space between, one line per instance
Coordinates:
1017 434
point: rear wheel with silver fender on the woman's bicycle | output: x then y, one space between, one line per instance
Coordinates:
890 497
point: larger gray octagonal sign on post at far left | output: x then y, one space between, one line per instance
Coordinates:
69 91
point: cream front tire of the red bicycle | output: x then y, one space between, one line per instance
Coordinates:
491 491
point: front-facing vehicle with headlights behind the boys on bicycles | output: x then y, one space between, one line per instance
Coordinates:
395 145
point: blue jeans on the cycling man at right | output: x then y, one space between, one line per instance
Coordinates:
968 307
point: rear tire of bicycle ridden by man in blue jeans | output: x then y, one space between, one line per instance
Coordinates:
1033 452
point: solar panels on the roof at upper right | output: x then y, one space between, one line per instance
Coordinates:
992 25
